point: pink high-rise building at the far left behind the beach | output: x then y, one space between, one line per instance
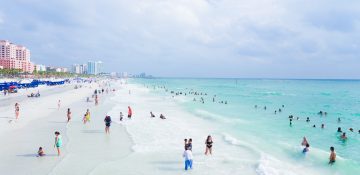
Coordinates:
15 57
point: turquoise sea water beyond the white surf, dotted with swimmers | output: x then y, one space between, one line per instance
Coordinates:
271 132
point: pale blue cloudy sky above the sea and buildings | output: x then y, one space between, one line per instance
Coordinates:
192 38
